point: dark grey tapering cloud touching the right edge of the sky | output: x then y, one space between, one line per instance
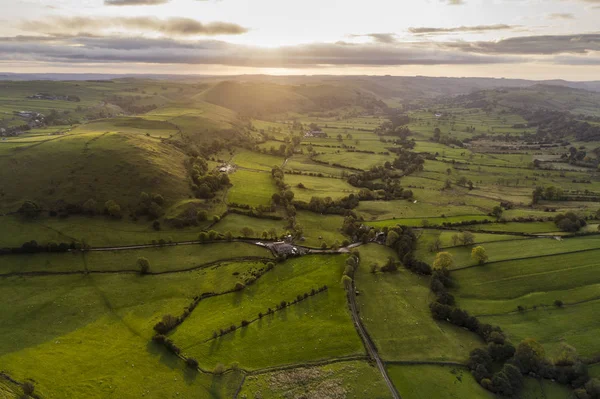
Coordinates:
540 45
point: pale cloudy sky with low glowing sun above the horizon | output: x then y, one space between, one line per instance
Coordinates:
531 39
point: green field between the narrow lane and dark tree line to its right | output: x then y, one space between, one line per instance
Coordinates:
406 330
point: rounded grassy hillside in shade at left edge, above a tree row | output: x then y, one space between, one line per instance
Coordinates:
99 165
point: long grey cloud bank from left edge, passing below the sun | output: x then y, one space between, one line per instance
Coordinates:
91 49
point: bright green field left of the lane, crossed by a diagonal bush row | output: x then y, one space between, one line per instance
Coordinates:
293 335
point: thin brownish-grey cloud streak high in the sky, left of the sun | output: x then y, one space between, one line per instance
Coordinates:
170 27
